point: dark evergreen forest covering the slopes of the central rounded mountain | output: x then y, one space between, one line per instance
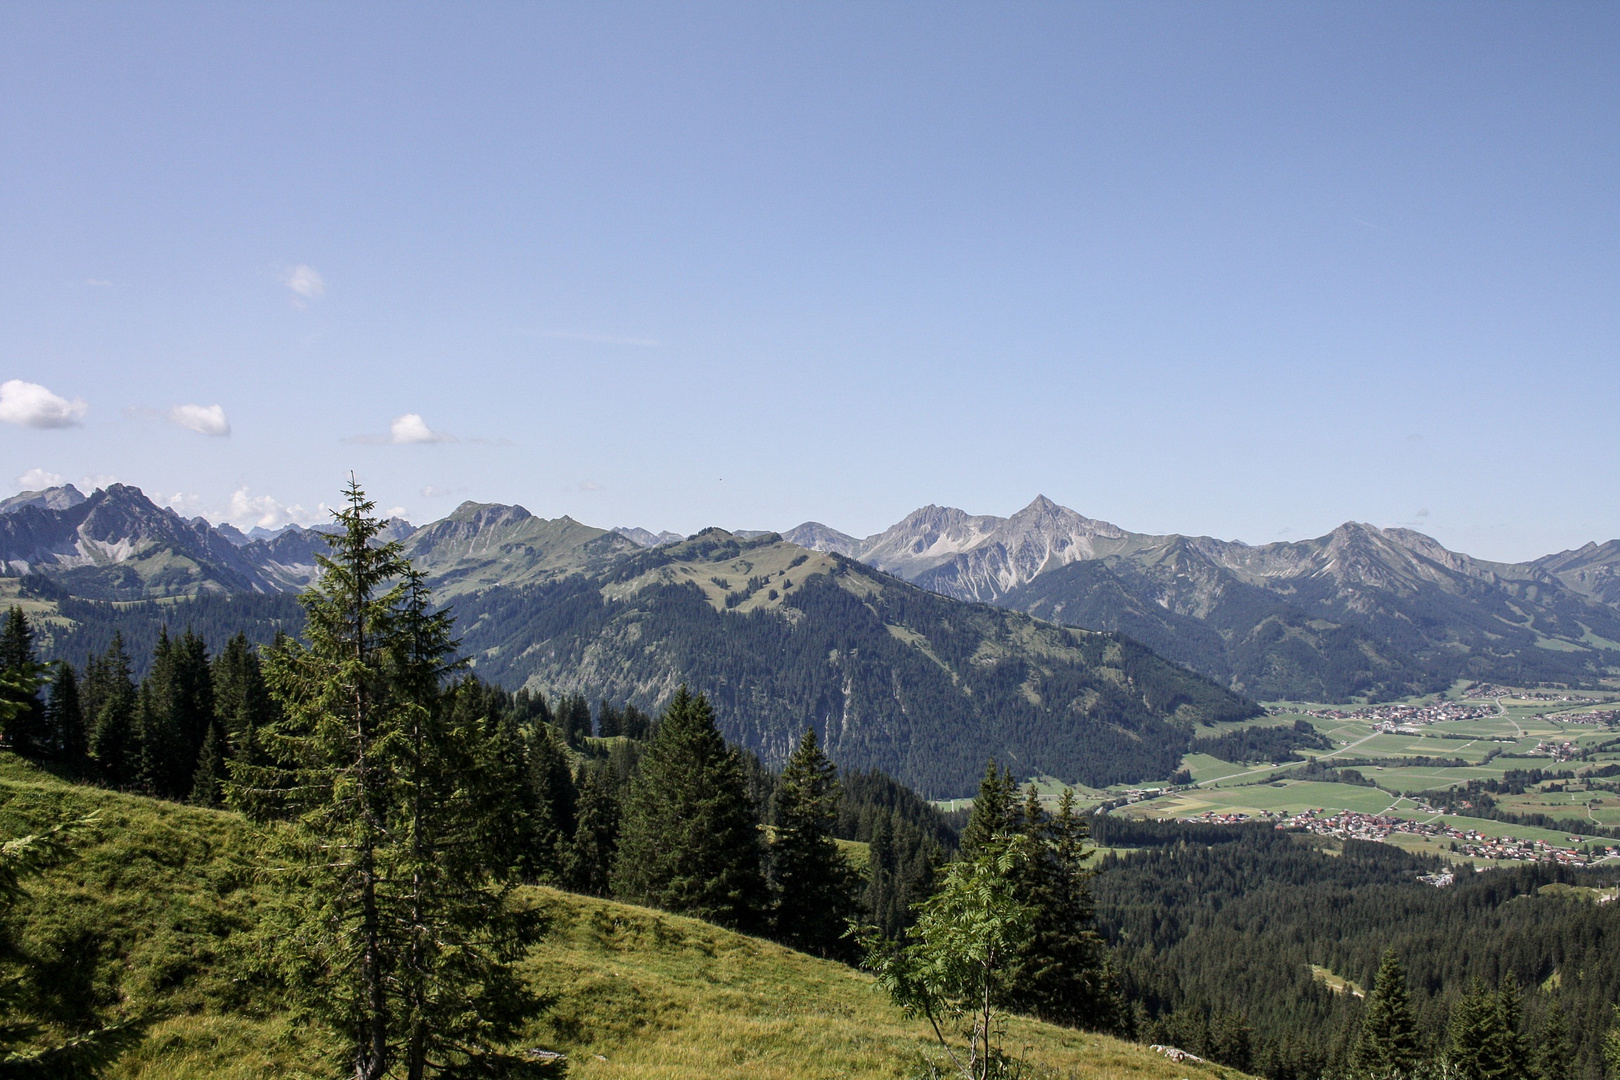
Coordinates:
876 699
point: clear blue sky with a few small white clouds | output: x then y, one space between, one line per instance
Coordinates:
1235 270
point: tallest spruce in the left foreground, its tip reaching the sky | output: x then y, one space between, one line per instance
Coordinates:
398 817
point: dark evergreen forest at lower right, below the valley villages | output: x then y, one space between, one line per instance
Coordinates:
1217 930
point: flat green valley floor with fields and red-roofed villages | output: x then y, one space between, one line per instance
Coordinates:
1486 775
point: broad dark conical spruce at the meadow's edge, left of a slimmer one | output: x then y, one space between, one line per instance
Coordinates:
691 841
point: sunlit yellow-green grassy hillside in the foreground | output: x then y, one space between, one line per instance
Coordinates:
156 911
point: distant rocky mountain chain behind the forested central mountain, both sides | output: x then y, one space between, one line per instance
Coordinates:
1362 613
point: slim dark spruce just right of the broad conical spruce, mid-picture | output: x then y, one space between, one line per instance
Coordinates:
812 882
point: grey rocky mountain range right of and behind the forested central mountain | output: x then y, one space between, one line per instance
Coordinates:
1363 611
